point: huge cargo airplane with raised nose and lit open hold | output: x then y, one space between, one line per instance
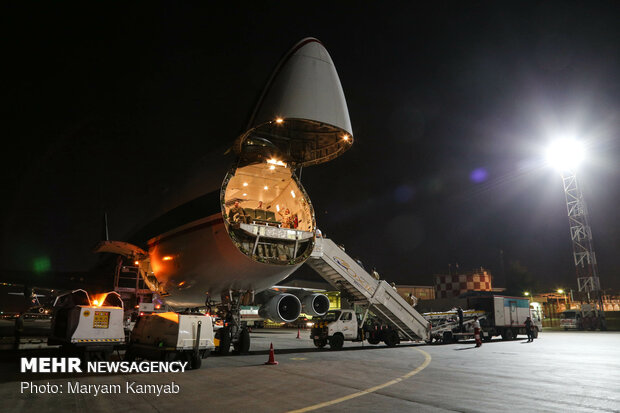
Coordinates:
231 244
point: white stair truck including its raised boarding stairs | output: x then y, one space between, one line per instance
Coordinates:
383 314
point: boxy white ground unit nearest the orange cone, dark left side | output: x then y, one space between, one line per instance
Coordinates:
172 336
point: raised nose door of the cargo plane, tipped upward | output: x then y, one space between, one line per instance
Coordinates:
302 111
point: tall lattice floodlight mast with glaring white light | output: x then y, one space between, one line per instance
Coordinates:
566 155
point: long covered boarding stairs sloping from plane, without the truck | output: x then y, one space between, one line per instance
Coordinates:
345 274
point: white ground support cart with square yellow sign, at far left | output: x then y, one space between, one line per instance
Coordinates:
90 331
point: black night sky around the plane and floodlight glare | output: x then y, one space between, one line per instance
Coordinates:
452 106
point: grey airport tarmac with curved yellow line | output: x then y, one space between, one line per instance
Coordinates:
560 371
